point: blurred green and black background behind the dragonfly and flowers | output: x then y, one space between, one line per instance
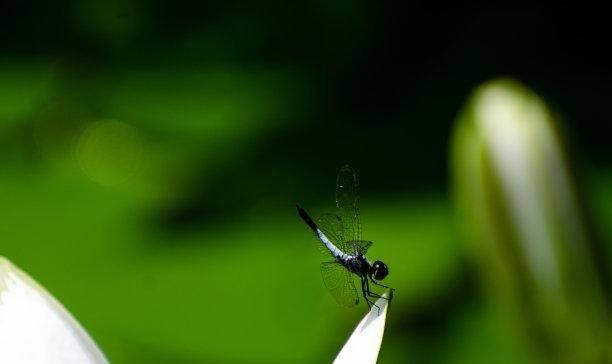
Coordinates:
151 154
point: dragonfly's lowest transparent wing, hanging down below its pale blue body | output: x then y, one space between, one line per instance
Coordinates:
339 282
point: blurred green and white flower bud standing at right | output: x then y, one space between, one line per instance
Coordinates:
519 208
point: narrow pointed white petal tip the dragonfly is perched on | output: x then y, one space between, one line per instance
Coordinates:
364 344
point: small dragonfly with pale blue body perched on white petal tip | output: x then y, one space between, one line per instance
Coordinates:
340 238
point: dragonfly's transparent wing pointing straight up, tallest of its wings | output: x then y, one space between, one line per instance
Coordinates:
347 200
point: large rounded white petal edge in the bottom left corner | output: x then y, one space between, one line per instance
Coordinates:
35 328
